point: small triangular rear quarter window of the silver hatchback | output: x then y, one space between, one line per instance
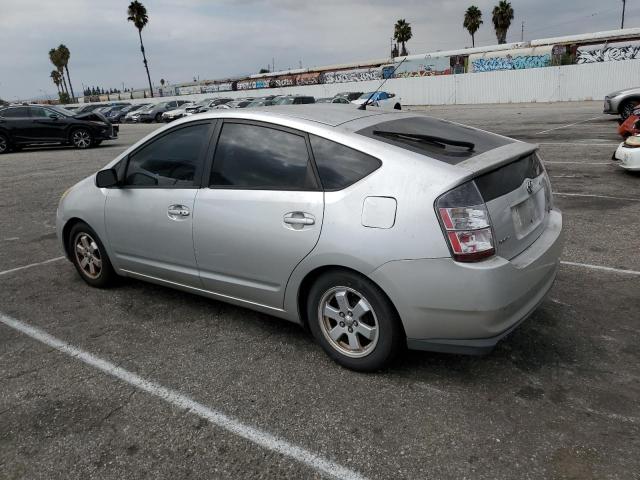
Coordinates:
340 166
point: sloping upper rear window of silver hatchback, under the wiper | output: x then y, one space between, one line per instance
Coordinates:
440 129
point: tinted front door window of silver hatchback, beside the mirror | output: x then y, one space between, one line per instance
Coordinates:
173 160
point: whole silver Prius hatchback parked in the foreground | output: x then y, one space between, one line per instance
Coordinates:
374 229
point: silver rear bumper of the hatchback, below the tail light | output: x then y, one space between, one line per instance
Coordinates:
455 307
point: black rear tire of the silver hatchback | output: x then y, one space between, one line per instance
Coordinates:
382 314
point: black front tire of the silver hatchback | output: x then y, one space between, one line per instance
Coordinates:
106 276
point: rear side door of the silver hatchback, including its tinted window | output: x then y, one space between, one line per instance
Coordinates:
260 215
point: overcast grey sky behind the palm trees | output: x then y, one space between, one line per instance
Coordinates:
222 38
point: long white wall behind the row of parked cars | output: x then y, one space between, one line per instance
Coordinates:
549 84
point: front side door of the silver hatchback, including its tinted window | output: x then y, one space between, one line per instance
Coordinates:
149 218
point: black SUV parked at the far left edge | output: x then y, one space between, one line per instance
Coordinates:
23 125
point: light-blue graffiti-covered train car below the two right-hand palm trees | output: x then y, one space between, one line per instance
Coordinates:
519 59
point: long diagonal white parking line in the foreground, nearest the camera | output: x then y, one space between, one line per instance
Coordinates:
255 435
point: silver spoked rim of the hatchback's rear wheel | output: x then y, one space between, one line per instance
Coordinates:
348 322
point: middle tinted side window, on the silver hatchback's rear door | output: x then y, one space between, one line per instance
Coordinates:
251 156
